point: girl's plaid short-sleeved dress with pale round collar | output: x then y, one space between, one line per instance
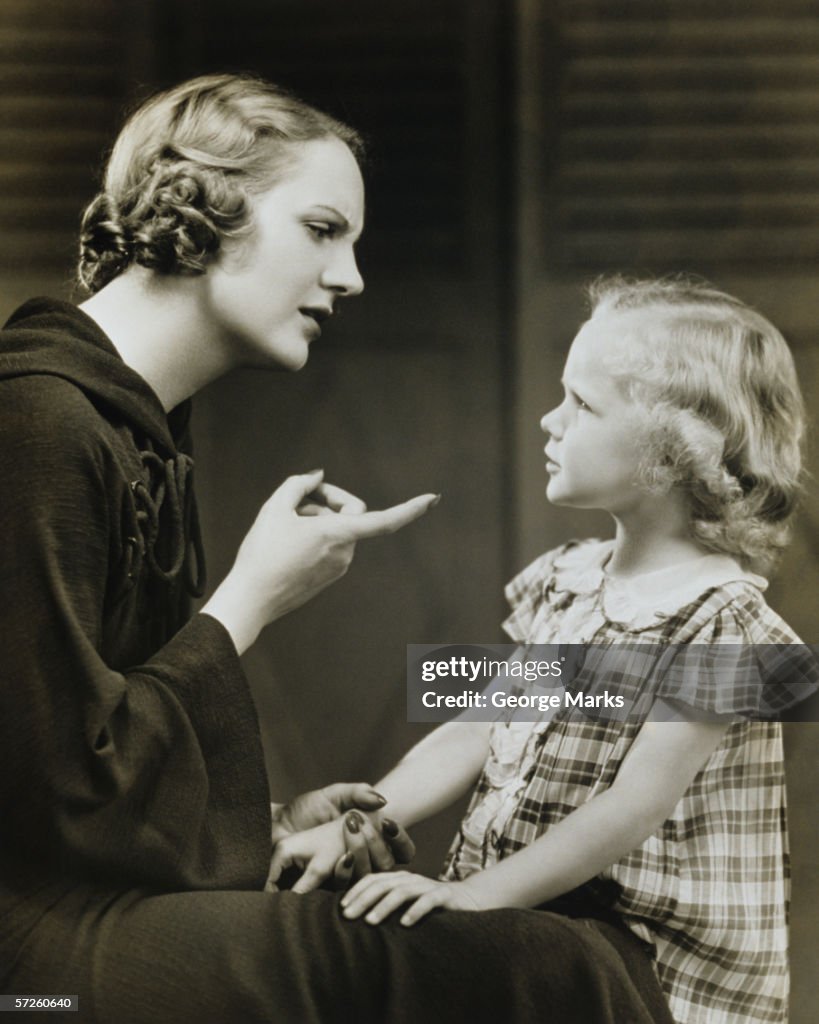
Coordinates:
710 889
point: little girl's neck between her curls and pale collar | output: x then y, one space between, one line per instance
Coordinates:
657 539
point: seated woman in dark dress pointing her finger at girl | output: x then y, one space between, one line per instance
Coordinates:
135 855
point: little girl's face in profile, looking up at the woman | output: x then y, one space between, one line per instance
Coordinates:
594 449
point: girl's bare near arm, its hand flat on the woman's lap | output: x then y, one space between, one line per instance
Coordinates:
662 764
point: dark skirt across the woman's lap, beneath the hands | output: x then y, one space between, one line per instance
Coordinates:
242 958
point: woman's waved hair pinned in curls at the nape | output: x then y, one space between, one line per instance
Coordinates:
183 168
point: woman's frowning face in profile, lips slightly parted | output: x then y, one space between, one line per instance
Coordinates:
269 293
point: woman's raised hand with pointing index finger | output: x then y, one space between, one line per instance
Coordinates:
304 540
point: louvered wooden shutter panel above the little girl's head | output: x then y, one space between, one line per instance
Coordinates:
680 133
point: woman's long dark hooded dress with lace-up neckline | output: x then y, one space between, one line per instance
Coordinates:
135 817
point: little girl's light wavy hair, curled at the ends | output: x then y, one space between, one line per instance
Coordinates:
724 413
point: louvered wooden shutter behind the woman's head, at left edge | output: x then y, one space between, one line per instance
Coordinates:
63 72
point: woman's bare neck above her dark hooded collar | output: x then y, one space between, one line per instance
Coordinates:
157 326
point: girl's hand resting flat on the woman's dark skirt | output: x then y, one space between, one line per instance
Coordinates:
379 895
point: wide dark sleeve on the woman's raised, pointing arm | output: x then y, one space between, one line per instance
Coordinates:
149 777
